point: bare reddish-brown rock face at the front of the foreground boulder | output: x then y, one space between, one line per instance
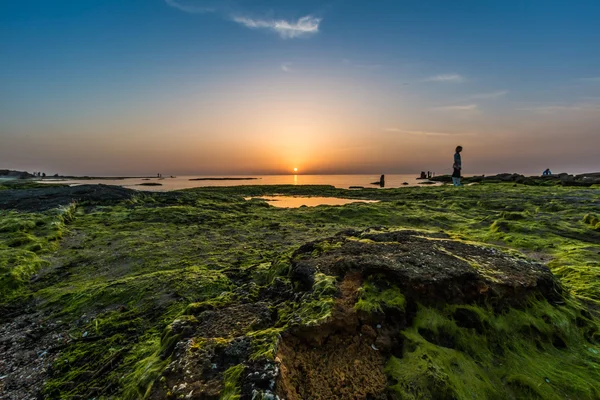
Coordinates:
338 359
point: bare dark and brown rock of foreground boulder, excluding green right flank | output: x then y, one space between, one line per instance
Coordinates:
344 354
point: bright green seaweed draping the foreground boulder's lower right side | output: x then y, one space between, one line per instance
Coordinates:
465 352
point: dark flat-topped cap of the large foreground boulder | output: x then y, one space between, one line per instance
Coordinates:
430 267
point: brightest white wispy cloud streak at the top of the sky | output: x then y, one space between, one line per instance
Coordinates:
230 9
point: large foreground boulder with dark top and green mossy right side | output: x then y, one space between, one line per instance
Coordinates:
381 314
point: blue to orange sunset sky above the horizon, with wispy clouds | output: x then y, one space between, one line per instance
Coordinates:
138 87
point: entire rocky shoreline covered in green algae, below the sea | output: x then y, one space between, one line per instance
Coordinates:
491 291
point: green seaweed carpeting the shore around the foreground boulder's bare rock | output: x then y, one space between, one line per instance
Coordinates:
123 272
